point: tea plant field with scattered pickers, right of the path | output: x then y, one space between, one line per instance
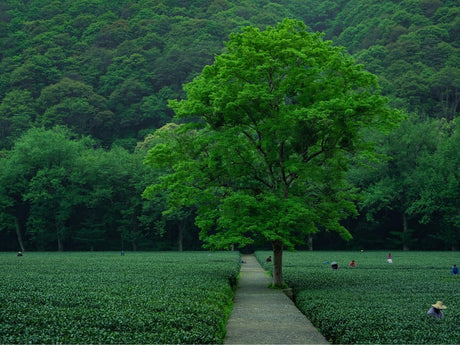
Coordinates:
376 302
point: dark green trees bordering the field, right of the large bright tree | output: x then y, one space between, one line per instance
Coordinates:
417 186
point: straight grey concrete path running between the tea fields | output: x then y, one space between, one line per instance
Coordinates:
266 316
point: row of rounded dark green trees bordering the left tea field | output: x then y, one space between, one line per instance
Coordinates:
60 193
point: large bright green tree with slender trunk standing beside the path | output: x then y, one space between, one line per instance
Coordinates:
280 113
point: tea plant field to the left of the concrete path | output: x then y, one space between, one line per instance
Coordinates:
108 298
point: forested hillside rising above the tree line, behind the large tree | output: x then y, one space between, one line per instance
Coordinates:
127 51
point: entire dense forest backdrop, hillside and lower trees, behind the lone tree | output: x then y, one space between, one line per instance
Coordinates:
85 83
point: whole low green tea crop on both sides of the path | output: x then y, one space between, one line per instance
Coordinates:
187 297
